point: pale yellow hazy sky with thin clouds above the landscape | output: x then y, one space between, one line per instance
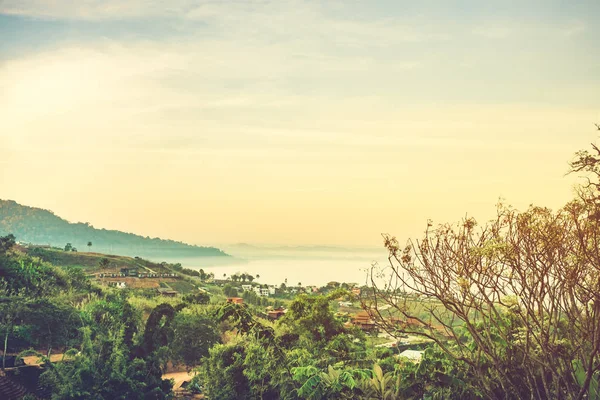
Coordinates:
292 121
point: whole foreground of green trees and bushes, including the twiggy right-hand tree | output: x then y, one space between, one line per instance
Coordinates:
509 309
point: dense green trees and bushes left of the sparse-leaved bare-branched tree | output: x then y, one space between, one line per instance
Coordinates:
117 343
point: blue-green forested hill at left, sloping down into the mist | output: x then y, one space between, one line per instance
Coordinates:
39 226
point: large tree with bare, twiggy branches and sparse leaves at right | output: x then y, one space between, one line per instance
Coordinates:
517 300
